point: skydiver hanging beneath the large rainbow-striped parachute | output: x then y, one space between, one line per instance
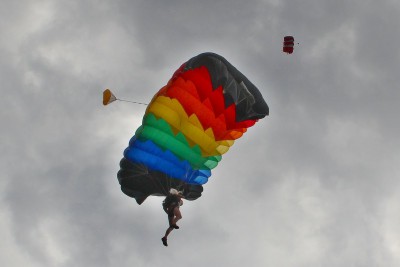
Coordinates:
171 206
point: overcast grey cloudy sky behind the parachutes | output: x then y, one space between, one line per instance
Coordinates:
314 184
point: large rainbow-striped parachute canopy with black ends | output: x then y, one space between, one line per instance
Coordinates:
187 127
